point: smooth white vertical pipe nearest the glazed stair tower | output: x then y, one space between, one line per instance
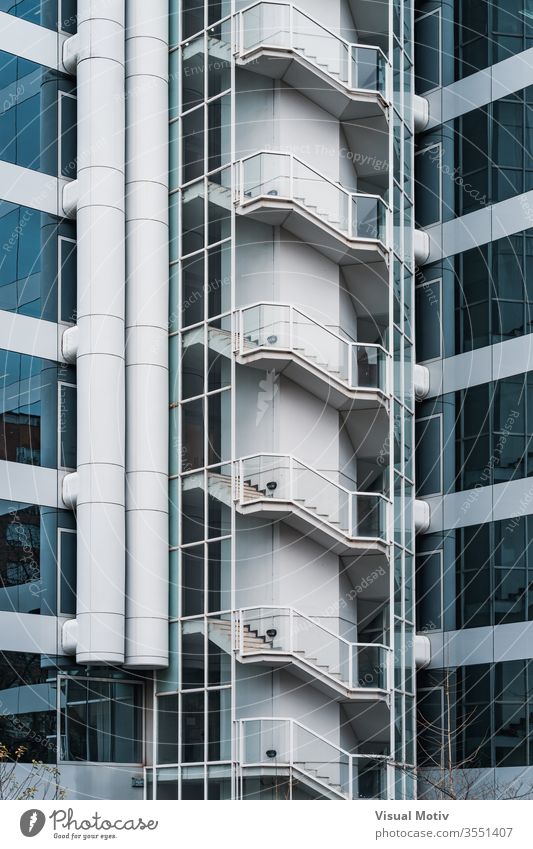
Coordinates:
147 334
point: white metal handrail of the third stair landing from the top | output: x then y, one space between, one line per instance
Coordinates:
350 346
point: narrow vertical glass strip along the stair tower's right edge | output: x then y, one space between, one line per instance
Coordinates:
401 339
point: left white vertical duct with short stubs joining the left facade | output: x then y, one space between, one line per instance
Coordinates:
97 489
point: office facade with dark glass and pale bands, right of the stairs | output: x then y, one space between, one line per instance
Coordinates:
473 161
